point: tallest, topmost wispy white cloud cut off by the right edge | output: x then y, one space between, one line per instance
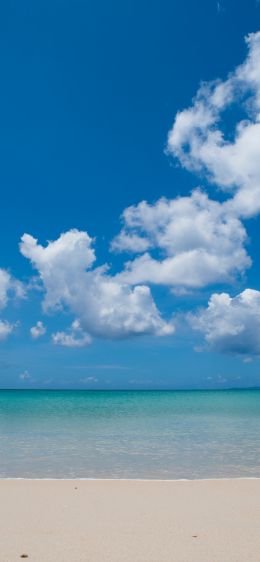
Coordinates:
198 141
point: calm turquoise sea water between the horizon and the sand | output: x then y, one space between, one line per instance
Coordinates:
88 434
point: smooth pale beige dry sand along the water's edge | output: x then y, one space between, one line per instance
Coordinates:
123 521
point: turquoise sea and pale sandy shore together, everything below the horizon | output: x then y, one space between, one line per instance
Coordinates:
130 476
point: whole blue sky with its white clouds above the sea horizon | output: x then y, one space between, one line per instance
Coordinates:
130 194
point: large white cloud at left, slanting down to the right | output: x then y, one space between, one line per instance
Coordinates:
105 307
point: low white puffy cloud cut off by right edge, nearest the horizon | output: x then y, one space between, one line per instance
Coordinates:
231 325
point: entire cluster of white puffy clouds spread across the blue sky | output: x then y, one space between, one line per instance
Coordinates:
182 243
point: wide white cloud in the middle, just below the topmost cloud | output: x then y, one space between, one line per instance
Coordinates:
201 242
